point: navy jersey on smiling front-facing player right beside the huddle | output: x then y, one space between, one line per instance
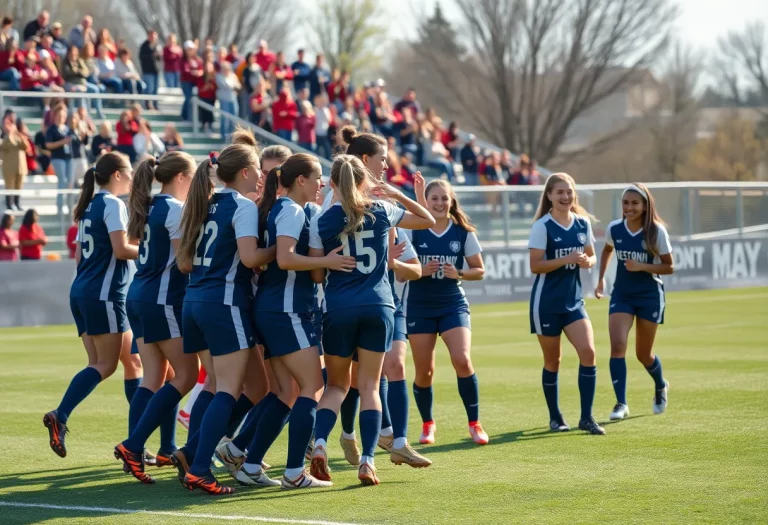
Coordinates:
435 295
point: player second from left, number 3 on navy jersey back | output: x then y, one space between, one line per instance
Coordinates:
155 298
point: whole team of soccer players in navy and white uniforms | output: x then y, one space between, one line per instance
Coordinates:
288 301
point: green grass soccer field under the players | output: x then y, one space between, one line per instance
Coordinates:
704 461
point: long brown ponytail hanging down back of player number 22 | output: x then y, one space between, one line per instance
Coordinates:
195 212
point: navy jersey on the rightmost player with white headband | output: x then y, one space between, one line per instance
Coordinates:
628 245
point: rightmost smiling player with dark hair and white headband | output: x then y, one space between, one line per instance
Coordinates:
643 254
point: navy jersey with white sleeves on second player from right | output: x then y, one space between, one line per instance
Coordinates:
559 291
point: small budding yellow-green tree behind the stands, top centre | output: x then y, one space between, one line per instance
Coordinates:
349 33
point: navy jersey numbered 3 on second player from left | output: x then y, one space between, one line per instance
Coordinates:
158 279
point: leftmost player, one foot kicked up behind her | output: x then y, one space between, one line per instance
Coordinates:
97 295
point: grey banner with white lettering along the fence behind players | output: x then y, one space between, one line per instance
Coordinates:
37 293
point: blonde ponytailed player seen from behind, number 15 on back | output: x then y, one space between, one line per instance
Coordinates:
359 305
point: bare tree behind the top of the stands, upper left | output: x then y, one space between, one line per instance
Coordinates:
242 22
